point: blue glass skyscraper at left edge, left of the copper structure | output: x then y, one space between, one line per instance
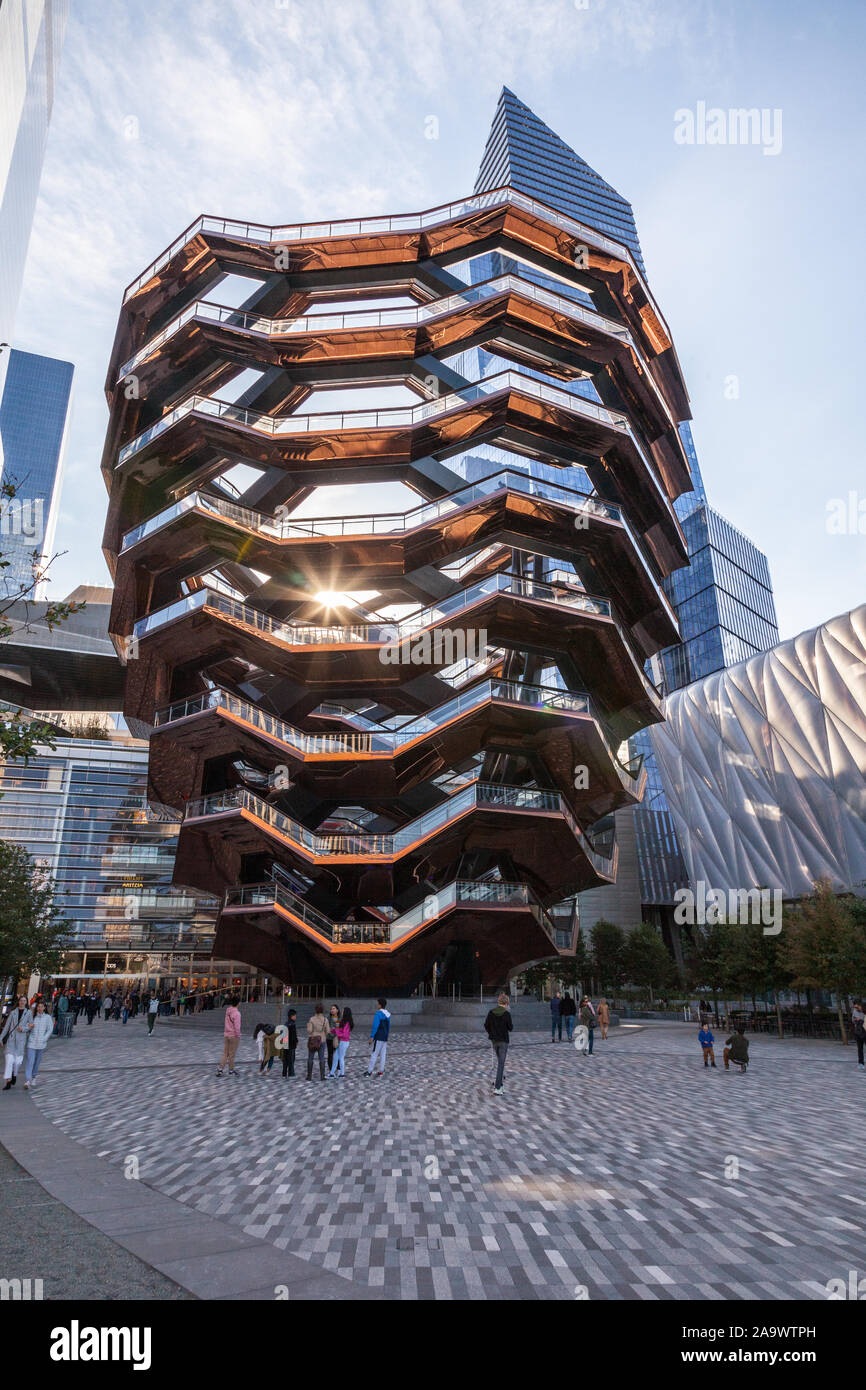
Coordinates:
34 415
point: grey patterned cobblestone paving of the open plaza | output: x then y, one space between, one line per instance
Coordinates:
607 1178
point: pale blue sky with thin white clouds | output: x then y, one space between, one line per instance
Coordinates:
293 111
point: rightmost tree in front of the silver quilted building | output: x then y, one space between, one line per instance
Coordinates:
825 946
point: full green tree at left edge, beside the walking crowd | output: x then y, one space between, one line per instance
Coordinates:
33 929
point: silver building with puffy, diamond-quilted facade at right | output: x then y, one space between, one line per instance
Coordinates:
765 765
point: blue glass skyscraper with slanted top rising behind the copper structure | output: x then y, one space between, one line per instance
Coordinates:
724 600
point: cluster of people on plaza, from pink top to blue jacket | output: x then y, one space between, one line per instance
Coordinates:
329 1038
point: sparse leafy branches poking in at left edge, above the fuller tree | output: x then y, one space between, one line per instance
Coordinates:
19 733
